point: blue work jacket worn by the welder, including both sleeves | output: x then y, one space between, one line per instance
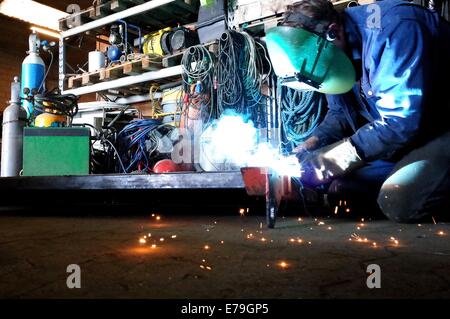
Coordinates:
401 54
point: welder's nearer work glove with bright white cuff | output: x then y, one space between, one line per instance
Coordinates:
332 161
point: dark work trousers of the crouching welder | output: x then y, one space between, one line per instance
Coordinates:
407 191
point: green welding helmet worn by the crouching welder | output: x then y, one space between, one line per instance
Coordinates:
306 61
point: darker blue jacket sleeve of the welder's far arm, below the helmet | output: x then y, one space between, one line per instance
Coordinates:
334 126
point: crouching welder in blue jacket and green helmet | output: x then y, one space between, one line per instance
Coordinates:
386 140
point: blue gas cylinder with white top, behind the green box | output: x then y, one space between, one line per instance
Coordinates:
33 71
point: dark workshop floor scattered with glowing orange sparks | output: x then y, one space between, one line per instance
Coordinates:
35 251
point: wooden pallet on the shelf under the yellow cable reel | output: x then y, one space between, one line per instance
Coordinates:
135 67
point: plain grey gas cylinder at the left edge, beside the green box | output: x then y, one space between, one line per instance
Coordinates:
14 119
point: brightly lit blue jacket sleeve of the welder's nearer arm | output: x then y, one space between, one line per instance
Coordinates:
399 73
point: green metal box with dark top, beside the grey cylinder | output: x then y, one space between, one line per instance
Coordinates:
56 151
